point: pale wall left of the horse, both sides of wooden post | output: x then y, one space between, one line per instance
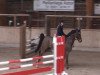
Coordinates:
10 36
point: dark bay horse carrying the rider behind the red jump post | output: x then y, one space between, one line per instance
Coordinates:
70 39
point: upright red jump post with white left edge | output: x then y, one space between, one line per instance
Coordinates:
59 48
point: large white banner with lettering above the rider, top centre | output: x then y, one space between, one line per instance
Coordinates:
53 5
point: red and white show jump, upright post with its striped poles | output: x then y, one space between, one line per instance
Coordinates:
59 46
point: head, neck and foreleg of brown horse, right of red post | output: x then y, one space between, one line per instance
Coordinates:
70 39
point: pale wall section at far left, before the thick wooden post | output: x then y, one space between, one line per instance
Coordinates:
9 36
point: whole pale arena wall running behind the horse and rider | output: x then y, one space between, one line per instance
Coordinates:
9 36
